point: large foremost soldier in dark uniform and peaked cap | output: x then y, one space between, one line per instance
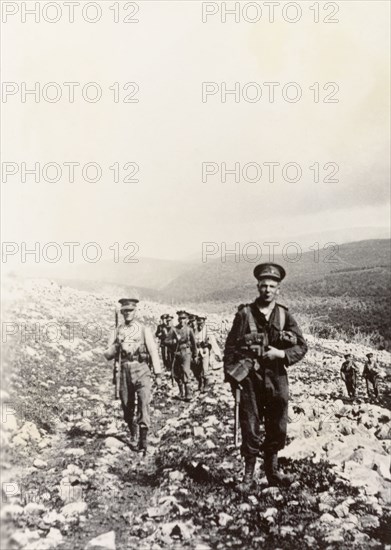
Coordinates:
264 340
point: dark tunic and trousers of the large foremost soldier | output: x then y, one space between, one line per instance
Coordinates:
265 391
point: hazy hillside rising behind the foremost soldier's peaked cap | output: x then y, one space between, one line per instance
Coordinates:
214 280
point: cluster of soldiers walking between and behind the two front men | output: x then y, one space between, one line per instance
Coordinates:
186 348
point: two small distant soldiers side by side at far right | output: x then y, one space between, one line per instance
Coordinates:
350 373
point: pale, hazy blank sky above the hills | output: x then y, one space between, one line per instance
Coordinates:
170 132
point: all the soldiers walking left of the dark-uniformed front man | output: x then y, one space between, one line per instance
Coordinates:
185 348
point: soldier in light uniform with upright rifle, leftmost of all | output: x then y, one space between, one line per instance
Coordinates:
135 344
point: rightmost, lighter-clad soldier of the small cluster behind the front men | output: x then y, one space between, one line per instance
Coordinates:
206 343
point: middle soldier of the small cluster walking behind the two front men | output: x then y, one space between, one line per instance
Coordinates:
181 342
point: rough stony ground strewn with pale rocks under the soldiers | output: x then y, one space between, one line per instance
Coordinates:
71 478
